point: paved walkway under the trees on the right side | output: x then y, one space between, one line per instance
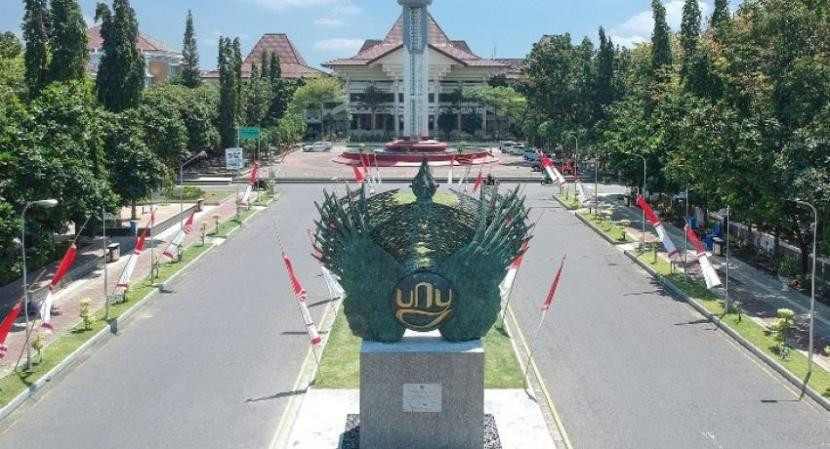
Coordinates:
760 293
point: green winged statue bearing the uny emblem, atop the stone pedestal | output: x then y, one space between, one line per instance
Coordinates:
421 265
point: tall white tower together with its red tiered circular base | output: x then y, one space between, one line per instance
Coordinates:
416 145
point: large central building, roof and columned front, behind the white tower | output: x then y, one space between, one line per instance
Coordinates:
453 68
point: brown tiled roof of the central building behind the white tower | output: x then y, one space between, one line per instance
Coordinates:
438 40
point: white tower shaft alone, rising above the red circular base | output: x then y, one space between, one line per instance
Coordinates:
415 68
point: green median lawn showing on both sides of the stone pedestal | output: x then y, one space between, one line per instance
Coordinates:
340 364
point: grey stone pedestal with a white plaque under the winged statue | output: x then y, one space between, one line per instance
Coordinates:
422 393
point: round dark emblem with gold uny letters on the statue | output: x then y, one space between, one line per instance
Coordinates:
423 301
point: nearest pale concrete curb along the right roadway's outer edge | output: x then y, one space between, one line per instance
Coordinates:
772 363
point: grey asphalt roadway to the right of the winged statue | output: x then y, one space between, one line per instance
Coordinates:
631 367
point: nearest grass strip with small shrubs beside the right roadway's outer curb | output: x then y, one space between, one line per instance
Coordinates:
758 335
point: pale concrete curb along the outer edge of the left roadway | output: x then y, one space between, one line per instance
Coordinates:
73 357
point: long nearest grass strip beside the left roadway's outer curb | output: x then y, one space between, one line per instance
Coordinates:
16 382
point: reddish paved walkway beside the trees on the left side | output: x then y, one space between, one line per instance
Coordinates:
65 314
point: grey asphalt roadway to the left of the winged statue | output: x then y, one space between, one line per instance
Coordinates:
210 365
